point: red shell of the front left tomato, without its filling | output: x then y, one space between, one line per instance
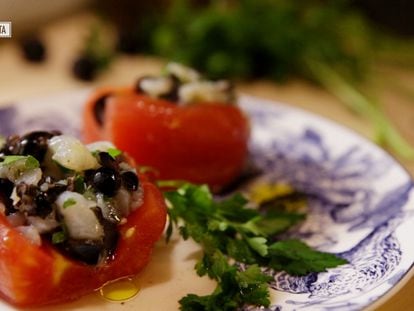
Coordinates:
32 276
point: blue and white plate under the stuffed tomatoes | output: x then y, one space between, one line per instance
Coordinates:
361 208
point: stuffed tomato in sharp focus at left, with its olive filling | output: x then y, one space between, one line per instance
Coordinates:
72 217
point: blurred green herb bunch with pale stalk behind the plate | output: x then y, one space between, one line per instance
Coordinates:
327 42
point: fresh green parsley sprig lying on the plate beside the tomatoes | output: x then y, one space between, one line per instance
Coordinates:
236 241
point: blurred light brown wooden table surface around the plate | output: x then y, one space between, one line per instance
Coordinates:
21 80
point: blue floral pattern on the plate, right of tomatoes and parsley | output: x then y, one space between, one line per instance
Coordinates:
359 199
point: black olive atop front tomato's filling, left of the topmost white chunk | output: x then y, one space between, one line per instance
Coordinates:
36 144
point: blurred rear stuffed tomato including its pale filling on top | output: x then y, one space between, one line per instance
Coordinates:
179 124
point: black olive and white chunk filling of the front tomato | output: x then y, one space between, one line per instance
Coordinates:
54 188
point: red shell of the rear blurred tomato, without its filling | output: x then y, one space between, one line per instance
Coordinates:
201 143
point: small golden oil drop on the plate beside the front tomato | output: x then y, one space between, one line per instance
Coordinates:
119 290
